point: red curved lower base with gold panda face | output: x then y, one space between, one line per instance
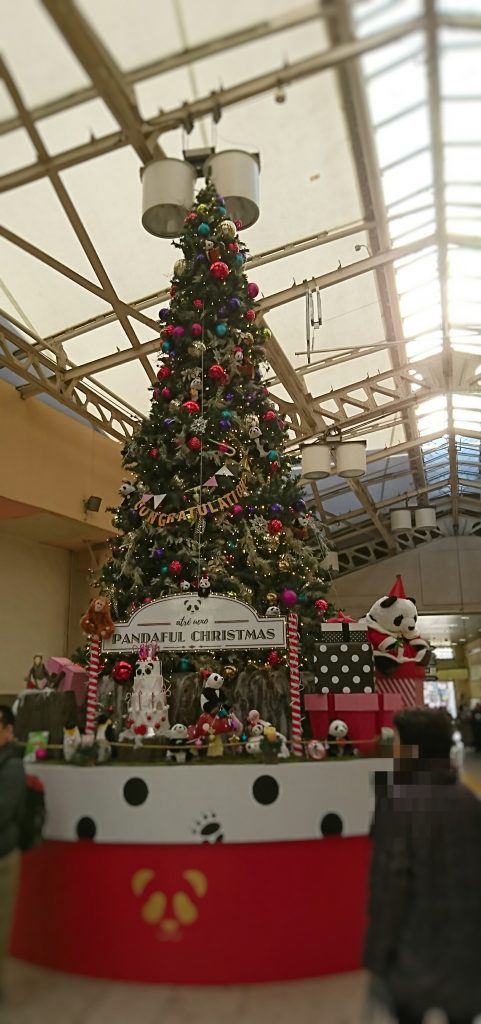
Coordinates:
195 915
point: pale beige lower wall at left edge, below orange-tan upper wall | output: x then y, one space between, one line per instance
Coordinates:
35 584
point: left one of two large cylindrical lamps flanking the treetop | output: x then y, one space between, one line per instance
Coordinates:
167 196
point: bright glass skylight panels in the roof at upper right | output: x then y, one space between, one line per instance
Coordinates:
402 108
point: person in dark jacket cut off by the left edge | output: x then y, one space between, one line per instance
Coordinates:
13 795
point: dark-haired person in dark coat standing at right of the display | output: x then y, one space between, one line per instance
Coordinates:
424 938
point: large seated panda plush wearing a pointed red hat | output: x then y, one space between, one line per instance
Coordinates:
392 630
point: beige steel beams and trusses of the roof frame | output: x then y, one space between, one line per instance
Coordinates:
388 398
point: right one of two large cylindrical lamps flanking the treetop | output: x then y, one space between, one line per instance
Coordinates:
236 176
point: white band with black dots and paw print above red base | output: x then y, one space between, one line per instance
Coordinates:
259 803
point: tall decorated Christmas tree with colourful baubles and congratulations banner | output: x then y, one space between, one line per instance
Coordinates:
214 502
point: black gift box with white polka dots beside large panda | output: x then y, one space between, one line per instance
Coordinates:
344 668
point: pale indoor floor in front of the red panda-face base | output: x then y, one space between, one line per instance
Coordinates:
38 997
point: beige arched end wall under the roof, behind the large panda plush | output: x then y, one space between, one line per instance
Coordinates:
444 576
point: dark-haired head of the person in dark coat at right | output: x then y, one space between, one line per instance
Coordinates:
424 734
